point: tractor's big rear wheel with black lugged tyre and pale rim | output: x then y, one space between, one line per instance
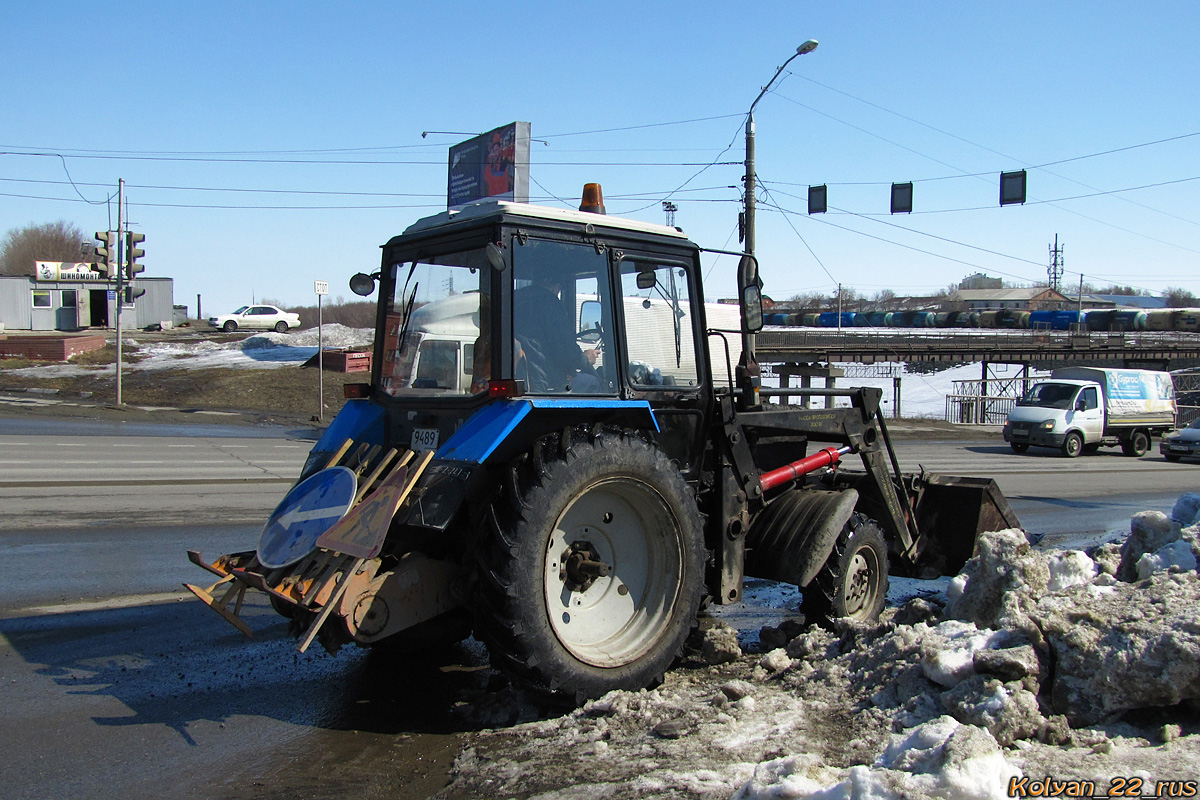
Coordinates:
595 573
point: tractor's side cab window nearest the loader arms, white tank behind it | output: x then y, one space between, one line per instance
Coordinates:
658 326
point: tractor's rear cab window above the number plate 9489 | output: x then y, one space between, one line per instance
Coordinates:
434 330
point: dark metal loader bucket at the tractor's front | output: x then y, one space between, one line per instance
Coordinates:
952 512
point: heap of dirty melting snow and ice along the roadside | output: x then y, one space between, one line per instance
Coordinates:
1024 667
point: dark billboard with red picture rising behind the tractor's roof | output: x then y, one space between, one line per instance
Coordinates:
494 166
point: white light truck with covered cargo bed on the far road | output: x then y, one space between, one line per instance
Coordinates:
1081 410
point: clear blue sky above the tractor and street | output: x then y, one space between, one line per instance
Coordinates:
267 146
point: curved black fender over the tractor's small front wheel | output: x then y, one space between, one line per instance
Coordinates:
793 538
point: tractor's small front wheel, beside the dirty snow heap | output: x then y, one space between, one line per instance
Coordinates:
854 581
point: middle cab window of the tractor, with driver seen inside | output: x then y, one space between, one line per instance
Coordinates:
562 318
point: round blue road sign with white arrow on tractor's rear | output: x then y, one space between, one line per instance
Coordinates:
309 510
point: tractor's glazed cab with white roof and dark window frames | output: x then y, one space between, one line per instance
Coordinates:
590 318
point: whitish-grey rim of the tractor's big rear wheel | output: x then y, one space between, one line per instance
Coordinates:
616 619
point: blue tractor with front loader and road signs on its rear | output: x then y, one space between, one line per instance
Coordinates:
566 452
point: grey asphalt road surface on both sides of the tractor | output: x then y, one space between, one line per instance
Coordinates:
115 683
